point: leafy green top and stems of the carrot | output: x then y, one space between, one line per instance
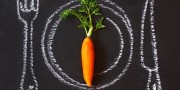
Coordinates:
87 9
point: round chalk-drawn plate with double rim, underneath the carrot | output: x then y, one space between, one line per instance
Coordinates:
61 46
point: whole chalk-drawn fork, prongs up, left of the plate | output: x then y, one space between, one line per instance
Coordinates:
27 13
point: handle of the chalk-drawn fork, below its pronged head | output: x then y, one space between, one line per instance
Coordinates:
28 80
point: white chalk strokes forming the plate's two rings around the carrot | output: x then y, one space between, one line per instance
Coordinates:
50 61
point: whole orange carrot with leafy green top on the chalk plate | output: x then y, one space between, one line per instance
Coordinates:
87 9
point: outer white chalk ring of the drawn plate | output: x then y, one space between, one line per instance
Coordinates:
101 86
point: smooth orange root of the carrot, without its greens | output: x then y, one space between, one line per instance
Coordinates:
87 55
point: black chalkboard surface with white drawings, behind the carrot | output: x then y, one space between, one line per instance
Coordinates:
138 50
